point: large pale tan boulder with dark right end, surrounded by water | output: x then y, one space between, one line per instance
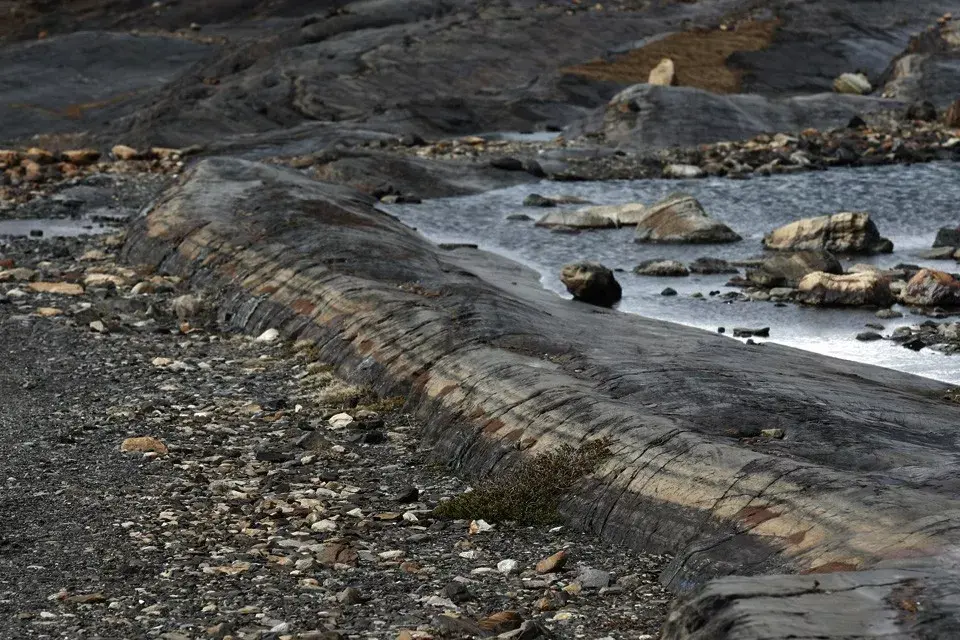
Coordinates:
845 232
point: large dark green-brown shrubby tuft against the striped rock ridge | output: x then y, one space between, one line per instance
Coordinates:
530 493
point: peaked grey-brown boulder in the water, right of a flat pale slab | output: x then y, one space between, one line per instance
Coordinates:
680 219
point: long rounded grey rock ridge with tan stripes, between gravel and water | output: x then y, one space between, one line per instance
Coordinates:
864 476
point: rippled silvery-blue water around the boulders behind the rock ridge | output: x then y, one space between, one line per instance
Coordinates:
908 203
